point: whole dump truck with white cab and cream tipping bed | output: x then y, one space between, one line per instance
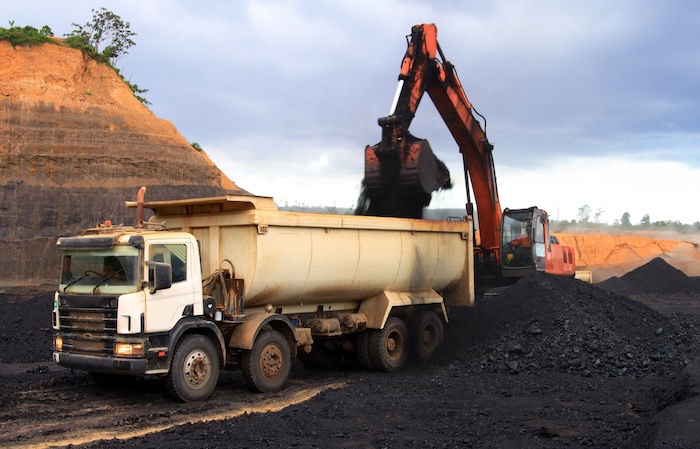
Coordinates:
232 282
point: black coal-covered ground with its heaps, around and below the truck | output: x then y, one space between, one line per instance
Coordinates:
546 363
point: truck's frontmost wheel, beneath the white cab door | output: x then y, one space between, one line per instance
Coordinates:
194 371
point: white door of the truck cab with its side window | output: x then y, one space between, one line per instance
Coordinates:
164 308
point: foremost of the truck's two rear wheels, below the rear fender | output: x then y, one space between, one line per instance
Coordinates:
388 347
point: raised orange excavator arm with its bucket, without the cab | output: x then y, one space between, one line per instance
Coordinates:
414 168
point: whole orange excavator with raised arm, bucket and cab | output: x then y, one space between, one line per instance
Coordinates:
401 171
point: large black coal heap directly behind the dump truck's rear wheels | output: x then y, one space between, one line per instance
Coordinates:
547 324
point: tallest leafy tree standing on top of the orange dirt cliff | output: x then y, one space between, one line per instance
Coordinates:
106 38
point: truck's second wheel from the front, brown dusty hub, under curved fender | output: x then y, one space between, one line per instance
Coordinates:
266 367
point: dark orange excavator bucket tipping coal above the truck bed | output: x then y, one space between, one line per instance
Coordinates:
411 168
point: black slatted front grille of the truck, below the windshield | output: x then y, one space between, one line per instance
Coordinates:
88 323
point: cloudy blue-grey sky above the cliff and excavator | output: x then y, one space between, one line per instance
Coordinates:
588 103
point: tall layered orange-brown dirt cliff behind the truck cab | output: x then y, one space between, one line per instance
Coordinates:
74 145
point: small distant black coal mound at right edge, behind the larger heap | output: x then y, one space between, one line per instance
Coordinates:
656 277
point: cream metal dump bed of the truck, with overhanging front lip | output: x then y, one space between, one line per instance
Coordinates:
292 258
